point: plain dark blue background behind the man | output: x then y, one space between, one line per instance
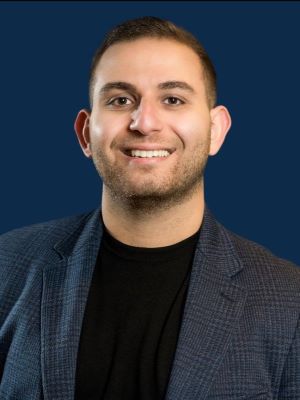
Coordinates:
46 49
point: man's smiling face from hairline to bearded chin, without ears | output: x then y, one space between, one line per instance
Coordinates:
149 100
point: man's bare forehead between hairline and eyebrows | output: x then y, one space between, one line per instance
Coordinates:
148 61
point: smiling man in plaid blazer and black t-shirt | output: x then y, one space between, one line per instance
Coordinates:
148 297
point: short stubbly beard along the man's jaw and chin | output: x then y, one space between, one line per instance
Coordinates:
153 191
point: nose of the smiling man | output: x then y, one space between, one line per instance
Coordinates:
146 118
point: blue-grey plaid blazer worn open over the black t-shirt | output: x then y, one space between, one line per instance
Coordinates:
239 337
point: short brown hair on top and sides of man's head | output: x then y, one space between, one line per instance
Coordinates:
154 27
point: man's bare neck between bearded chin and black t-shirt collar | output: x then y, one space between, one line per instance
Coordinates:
162 227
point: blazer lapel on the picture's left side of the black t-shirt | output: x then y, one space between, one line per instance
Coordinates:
65 291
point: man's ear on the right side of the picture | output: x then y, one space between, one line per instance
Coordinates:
220 125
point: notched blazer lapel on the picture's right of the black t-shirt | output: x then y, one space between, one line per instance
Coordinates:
213 307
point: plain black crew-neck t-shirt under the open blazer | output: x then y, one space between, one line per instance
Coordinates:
132 320
